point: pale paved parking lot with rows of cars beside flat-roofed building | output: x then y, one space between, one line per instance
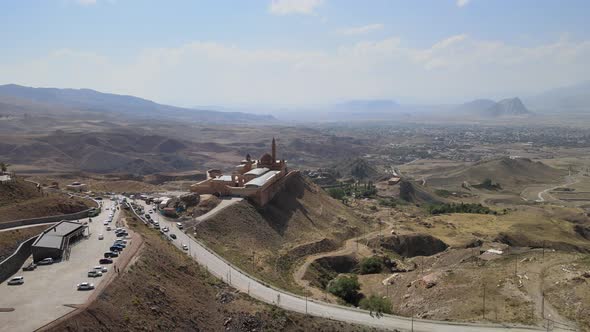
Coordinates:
48 290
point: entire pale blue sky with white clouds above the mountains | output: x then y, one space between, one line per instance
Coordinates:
291 53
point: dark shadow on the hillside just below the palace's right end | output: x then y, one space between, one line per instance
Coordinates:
279 211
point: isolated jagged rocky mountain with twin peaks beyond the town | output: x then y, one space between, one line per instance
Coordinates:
509 107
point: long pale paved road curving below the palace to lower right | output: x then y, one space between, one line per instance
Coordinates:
241 281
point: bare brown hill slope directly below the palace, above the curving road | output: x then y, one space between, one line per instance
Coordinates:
301 220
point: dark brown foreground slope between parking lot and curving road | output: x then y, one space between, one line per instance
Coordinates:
166 291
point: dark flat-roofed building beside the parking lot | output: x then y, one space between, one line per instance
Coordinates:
54 242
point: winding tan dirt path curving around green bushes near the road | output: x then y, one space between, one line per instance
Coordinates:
351 246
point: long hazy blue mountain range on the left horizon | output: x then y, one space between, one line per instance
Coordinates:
27 99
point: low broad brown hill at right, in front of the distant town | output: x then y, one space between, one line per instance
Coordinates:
508 172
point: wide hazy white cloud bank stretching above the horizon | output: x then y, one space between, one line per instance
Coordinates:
206 73
